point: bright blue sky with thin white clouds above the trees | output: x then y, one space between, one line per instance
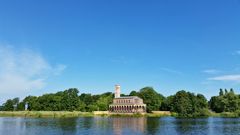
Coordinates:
170 45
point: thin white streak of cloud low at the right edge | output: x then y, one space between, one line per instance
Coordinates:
235 78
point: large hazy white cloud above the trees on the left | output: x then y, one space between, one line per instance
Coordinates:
23 70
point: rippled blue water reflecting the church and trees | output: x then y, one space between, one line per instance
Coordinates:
119 126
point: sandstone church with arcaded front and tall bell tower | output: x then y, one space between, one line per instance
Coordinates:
126 104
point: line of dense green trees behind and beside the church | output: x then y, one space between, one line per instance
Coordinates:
185 104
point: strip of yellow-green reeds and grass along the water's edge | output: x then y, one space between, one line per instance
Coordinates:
68 114
